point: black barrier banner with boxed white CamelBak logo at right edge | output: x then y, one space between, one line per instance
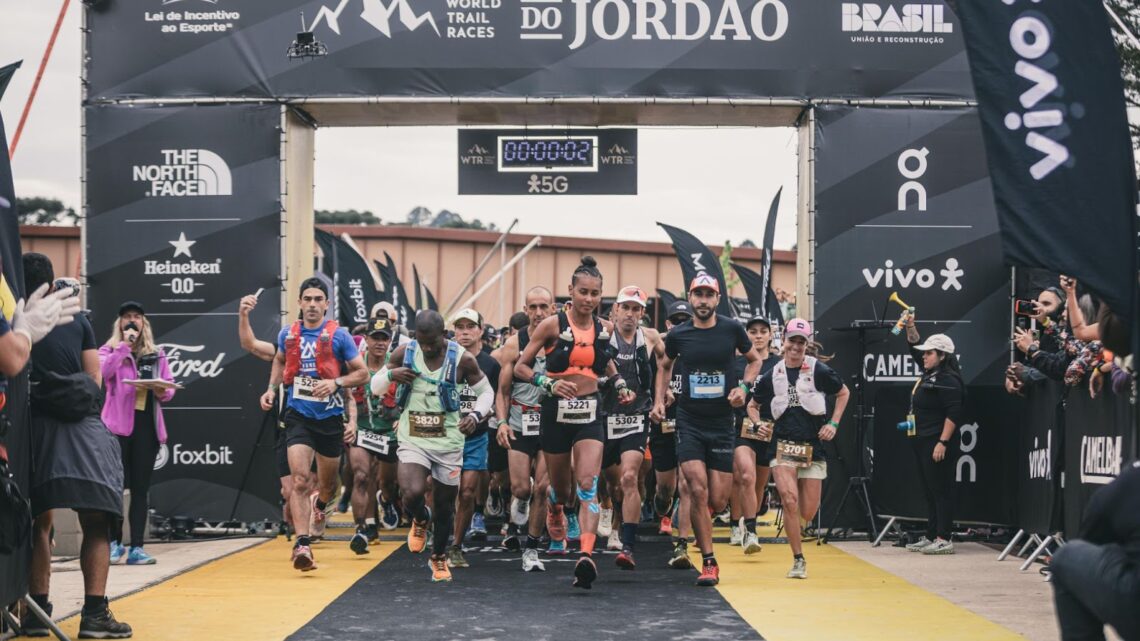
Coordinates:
1100 441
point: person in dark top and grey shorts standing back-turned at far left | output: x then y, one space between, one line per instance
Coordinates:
75 460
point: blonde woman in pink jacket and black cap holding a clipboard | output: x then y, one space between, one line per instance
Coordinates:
135 416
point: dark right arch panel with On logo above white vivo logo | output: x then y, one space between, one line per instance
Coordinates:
905 206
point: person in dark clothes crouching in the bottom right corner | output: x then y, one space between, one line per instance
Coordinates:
1097 577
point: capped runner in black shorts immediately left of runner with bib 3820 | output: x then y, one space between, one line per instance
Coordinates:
372 458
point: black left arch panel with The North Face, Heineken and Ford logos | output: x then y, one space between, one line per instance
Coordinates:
184 216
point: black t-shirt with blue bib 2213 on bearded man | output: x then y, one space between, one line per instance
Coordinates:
707 358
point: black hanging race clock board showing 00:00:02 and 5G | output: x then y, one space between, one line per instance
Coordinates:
541 163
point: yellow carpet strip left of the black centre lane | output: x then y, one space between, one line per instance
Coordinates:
255 595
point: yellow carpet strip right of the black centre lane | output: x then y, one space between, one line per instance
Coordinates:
844 599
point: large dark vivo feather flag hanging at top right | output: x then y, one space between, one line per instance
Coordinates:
1048 82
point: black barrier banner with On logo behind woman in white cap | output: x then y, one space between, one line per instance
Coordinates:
981 452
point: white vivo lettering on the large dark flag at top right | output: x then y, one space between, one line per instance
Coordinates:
1031 39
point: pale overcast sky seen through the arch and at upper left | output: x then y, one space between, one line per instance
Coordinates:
715 183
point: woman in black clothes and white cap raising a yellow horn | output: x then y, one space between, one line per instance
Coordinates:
937 411
